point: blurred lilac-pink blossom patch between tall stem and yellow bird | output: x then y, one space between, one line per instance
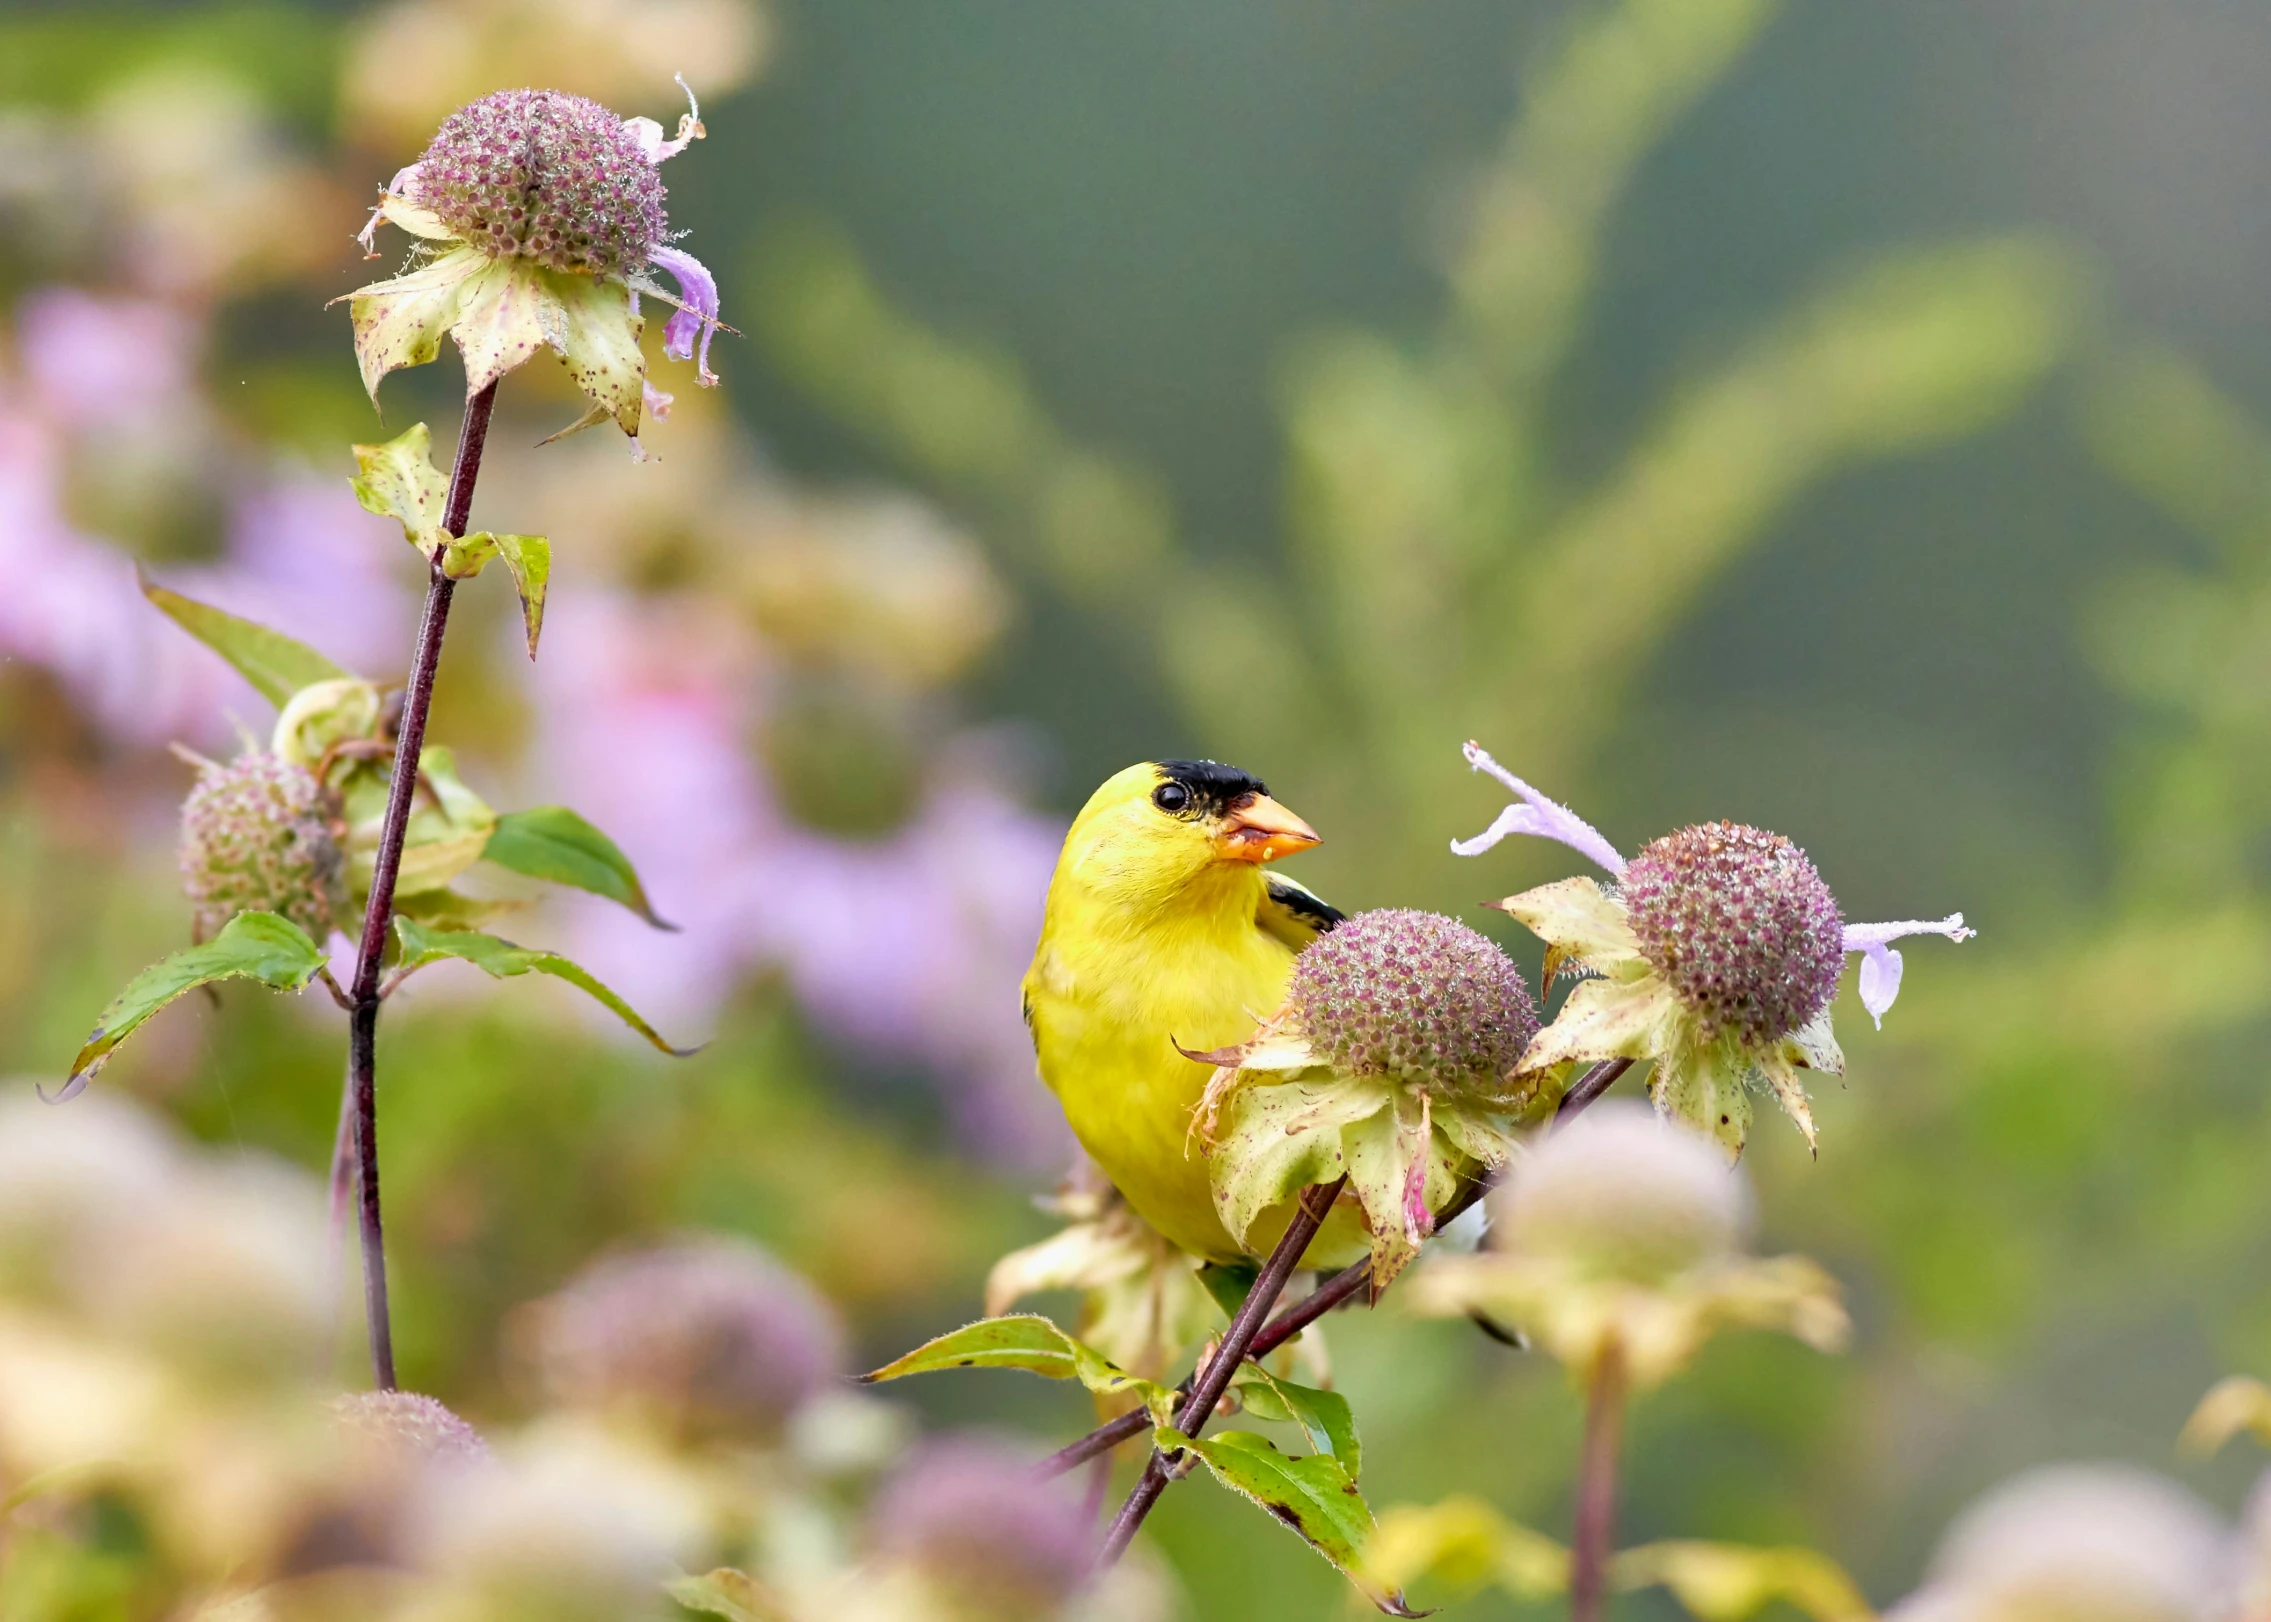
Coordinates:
907 948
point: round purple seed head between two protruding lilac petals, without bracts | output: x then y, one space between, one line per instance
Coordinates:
1743 928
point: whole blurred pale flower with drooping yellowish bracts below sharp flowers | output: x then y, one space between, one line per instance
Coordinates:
1623 1237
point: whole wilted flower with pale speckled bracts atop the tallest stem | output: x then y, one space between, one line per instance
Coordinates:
546 215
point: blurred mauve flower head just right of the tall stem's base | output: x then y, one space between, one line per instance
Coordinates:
707 1337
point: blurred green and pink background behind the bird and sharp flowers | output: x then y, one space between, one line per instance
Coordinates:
1843 419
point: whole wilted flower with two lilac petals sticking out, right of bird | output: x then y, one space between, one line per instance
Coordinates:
1716 955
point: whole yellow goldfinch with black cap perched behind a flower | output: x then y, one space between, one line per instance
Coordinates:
1164 930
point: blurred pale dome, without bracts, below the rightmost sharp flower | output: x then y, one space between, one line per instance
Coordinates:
1623 1196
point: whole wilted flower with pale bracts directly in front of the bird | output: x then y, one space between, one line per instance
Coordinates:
1398 1062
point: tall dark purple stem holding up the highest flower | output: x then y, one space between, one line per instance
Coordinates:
378 917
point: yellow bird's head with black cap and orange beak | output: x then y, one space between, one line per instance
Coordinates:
1159 828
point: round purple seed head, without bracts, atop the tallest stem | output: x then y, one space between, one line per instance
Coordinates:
548 176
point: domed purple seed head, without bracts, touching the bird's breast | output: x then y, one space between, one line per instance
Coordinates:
1416 998
